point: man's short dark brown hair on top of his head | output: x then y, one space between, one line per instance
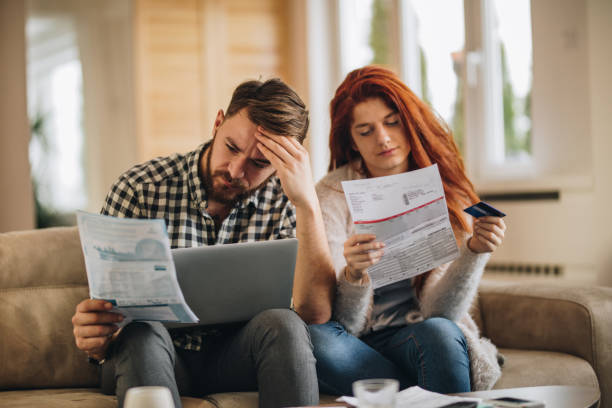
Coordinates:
273 105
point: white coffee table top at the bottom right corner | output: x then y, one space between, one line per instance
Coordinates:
554 396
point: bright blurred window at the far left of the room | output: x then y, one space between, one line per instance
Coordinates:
55 101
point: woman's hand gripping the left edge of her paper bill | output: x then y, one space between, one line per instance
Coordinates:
361 251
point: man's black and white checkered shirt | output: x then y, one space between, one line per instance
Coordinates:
171 188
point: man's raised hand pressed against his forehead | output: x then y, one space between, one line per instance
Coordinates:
292 164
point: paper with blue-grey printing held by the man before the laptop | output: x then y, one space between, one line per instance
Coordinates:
129 264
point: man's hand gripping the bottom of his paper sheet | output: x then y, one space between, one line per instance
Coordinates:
94 326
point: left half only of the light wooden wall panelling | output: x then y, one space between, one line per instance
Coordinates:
168 46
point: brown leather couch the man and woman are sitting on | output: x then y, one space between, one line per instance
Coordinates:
548 335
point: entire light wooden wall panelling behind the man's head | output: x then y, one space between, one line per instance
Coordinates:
191 54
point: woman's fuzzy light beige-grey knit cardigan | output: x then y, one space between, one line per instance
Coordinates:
448 292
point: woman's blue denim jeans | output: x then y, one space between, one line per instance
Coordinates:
431 354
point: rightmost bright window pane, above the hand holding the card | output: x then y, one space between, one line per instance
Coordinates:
504 81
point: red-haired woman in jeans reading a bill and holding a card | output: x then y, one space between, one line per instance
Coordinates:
417 330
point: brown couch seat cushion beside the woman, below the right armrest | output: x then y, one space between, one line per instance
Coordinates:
525 368
